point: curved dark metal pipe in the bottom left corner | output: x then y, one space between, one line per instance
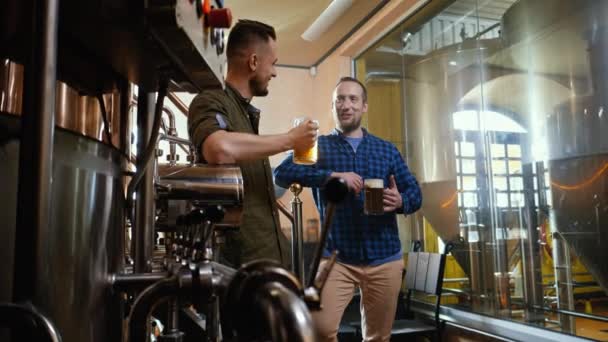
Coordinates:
18 315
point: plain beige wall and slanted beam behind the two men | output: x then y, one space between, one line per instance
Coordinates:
295 92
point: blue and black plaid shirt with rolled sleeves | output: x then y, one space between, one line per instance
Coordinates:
359 239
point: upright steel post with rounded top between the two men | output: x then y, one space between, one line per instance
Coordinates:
297 256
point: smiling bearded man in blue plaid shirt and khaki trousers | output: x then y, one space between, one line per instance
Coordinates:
369 250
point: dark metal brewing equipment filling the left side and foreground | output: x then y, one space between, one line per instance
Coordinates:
74 183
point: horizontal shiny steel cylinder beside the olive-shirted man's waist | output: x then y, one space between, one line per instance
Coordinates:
205 184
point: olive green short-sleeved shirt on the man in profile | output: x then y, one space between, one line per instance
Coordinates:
259 236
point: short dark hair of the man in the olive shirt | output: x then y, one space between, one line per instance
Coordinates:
245 33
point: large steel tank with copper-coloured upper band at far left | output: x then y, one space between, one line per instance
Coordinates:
87 215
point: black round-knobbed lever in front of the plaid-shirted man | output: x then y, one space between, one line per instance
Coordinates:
335 191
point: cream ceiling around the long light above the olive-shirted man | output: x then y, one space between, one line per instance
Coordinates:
291 18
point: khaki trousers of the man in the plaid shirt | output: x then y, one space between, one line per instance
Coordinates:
379 286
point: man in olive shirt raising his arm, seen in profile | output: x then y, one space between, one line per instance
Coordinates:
223 125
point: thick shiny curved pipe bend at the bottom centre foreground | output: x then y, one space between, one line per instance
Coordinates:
287 316
